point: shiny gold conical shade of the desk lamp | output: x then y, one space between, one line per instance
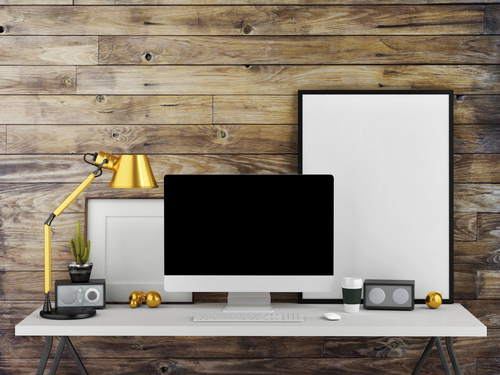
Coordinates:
132 172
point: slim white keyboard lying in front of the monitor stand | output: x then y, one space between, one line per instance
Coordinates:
248 317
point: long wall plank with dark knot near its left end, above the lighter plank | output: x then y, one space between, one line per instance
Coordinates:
157 50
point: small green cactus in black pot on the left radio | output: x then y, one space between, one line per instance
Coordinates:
80 269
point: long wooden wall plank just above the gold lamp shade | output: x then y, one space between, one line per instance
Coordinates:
153 139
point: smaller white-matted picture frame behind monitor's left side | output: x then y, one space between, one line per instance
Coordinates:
127 247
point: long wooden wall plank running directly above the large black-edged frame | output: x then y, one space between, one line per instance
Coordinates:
282 79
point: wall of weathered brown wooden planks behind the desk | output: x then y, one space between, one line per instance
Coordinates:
209 86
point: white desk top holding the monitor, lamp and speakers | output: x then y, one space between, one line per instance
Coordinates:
176 320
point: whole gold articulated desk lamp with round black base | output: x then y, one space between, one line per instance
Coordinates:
130 172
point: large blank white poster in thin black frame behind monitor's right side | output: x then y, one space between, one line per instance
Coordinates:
391 154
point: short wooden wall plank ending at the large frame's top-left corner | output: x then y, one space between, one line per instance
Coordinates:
253 109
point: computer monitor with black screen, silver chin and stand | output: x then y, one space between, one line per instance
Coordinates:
248 234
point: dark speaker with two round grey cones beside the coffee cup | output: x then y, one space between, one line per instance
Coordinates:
389 294
